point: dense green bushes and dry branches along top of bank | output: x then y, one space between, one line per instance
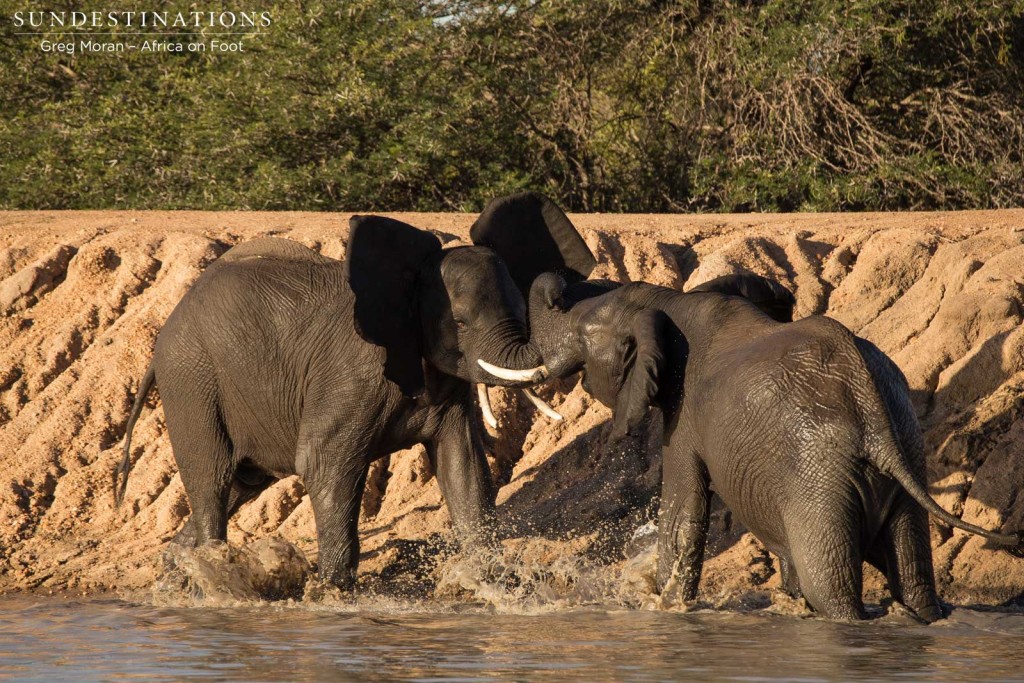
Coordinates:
605 105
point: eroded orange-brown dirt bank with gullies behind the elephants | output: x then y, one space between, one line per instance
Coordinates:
83 295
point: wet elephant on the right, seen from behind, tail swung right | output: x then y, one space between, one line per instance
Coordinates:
806 432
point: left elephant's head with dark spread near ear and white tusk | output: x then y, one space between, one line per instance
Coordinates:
459 309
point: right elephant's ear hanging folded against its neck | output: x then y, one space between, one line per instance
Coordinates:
645 368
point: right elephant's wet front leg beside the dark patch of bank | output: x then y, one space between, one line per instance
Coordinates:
684 524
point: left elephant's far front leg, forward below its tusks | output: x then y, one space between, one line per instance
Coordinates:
464 479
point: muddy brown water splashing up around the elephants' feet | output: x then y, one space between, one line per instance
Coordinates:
523 576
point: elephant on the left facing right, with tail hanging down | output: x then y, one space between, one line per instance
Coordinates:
282 362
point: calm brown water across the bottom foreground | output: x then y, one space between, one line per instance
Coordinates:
50 639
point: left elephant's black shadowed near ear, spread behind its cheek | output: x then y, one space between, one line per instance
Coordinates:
383 262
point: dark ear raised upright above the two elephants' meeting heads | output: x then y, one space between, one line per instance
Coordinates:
533 236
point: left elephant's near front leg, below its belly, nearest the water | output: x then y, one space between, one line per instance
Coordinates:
336 493
